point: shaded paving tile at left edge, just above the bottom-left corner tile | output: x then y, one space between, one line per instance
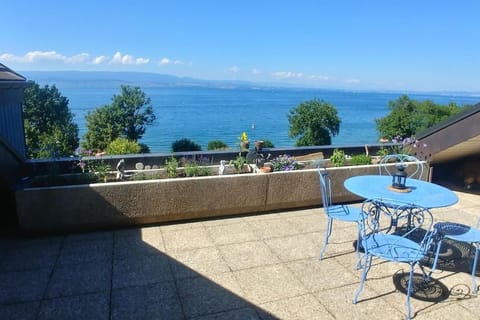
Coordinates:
23 286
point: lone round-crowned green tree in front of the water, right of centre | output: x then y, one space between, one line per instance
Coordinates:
314 122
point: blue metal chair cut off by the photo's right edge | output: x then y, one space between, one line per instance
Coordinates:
463 233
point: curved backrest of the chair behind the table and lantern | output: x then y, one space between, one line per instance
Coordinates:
413 166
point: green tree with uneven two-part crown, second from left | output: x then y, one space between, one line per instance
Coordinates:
126 117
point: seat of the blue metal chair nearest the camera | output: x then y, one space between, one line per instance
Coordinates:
392 247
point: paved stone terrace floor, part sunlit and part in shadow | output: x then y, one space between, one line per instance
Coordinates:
253 267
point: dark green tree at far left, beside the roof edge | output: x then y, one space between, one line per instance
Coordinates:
49 127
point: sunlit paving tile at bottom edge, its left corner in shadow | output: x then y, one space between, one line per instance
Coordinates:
296 308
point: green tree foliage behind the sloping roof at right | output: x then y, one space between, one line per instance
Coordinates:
409 117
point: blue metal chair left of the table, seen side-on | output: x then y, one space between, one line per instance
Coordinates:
340 212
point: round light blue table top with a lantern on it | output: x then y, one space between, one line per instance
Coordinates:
422 193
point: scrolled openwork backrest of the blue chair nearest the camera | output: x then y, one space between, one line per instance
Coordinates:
400 219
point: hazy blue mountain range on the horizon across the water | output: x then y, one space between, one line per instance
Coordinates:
109 79
